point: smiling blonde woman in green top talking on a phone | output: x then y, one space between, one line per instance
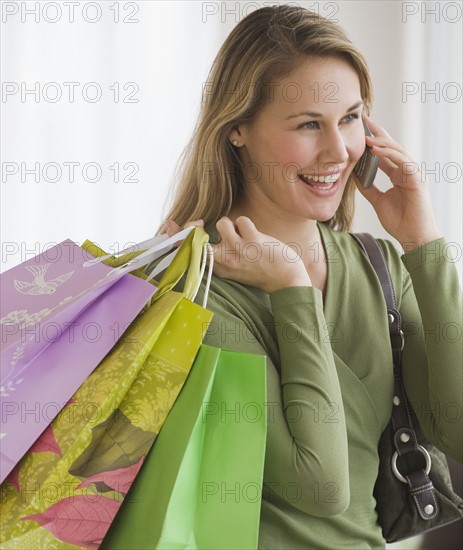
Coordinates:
269 173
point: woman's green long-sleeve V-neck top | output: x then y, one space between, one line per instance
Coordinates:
330 382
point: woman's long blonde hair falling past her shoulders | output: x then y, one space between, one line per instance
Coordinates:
267 44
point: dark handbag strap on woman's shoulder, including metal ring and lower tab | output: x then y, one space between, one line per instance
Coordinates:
404 436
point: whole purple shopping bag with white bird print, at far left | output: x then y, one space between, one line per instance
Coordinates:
59 317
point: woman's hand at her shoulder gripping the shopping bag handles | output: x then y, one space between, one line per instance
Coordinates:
247 256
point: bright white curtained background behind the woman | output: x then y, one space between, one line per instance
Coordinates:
149 60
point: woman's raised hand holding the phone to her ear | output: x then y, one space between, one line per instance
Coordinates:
404 210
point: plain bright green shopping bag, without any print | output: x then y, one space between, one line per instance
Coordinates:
200 485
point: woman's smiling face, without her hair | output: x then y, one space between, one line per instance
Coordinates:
300 149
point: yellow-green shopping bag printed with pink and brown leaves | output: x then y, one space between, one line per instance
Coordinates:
67 490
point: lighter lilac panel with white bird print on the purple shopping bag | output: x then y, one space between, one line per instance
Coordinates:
40 297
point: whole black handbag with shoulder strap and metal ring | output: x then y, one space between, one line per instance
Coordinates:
413 489
